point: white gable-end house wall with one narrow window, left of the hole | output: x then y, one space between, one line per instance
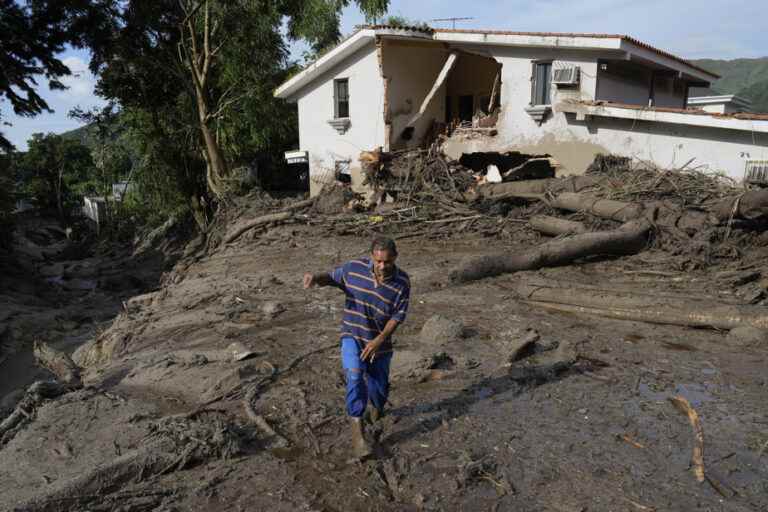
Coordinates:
326 146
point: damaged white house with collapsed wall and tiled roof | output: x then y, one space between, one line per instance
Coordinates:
571 96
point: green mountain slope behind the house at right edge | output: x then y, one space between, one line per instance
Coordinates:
747 78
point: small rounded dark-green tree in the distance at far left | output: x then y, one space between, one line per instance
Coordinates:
57 172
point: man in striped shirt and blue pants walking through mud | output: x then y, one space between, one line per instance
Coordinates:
377 294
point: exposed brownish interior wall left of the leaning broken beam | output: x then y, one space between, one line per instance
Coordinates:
412 68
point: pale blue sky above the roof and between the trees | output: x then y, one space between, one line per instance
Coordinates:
691 29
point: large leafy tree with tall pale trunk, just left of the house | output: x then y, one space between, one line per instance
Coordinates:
228 56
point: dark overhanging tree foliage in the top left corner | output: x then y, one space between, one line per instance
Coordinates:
34 33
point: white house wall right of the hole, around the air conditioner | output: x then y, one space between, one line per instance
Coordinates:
575 143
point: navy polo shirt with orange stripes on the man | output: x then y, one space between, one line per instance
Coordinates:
369 306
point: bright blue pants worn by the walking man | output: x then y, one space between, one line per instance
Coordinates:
364 379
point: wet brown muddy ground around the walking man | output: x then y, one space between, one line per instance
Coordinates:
467 428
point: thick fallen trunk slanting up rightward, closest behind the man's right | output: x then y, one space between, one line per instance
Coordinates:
631 238
